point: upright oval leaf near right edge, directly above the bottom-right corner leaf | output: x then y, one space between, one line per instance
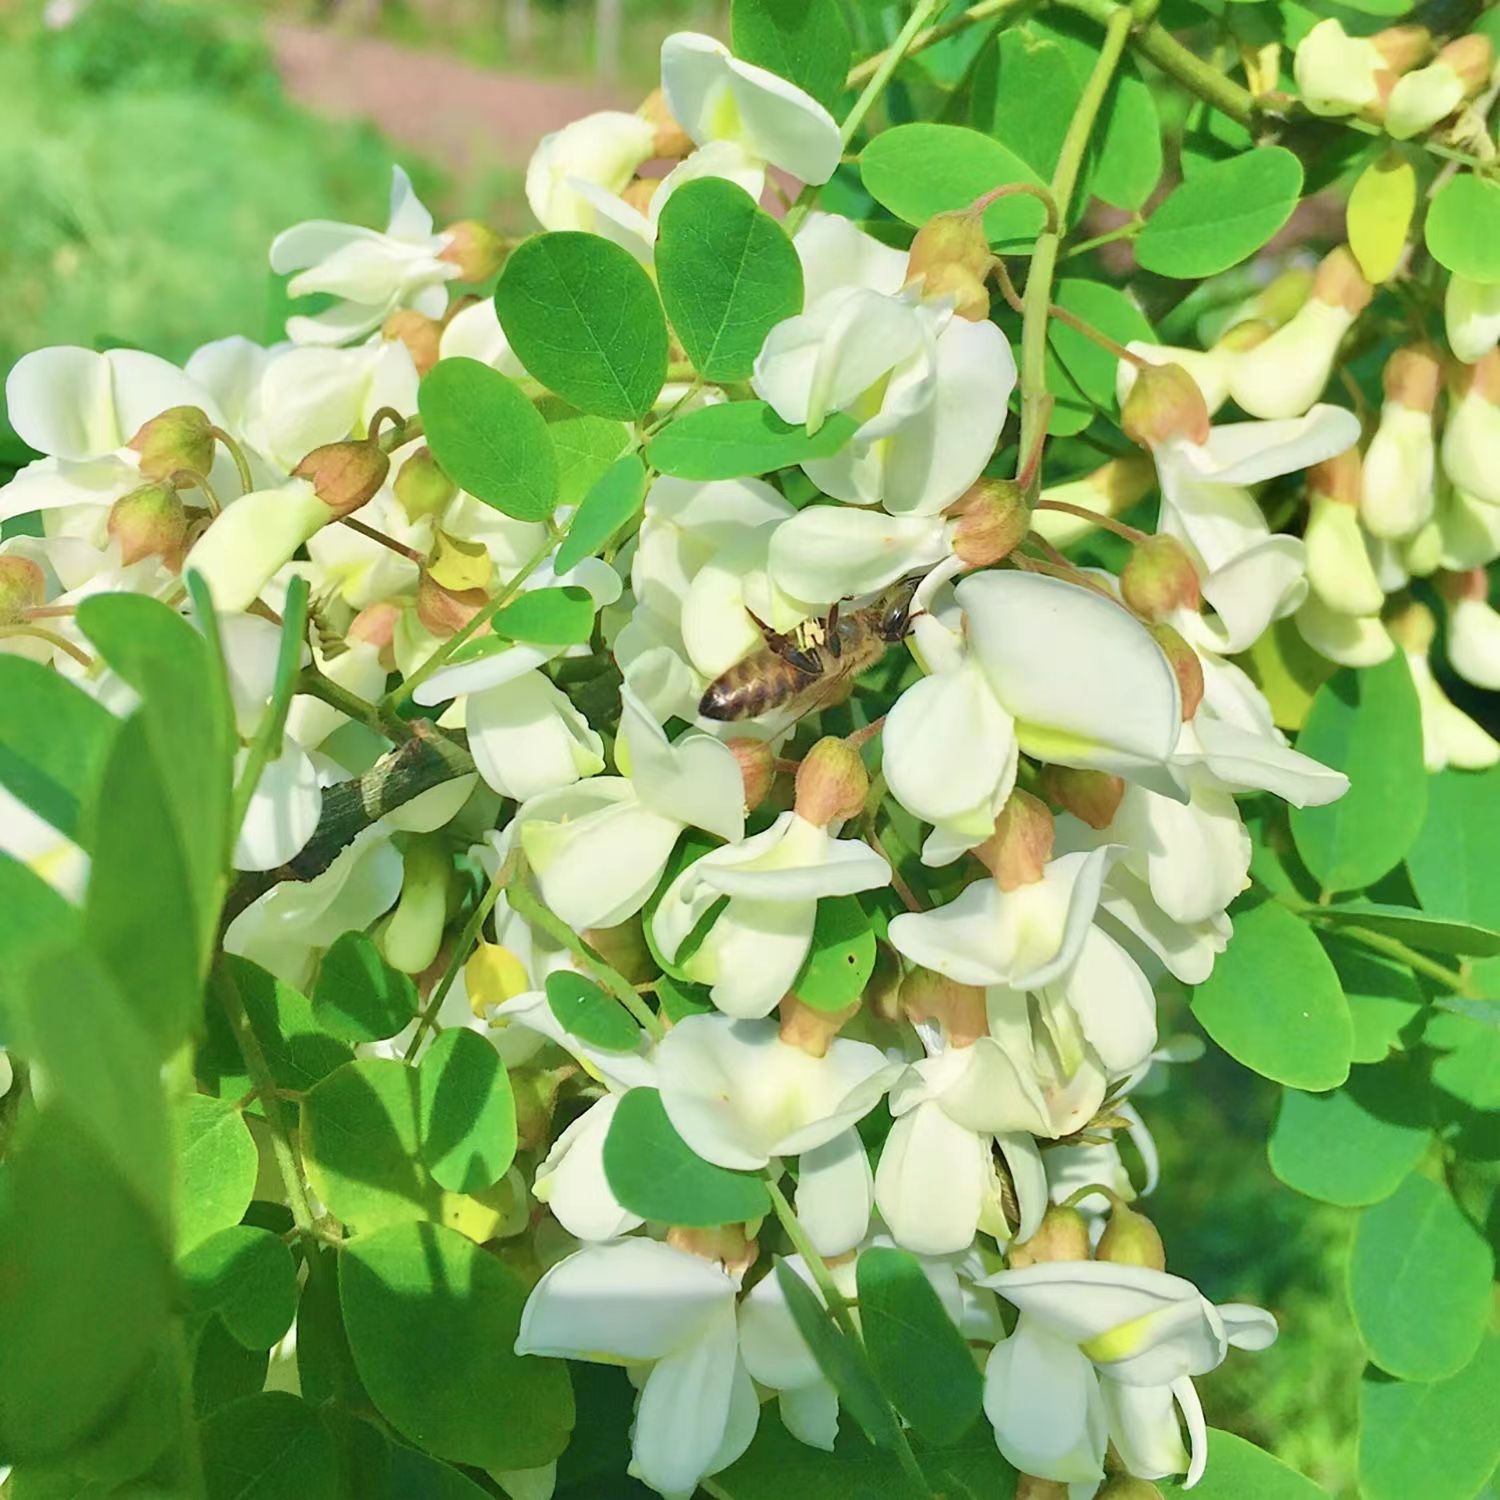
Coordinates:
1420 1283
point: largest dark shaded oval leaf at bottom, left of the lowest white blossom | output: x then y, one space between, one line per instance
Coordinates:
433 1322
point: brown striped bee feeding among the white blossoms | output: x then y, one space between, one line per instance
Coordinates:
800 673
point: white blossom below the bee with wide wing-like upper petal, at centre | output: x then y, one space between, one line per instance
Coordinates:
757 946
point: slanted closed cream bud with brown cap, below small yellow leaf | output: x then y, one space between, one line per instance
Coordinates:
1283 376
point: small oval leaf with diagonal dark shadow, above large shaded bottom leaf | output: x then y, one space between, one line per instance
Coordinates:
469 1115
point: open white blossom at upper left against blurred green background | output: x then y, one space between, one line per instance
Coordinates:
374 274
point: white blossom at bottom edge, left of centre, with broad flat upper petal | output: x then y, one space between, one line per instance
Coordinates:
650 1304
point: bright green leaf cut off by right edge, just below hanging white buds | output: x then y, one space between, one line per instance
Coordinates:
1453 862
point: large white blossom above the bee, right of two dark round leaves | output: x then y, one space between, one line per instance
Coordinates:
928 389
